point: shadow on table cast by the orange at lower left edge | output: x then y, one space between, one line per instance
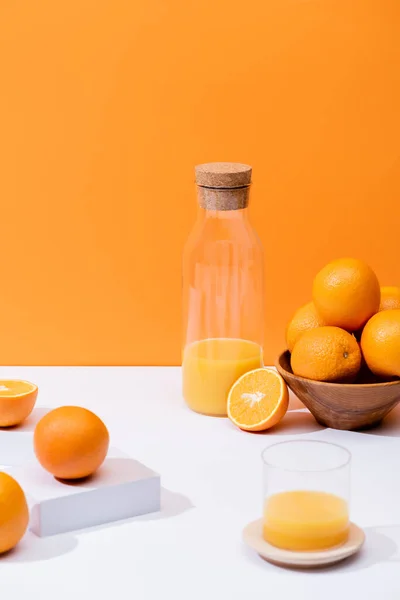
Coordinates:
35 549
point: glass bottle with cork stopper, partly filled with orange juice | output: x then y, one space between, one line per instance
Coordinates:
223 290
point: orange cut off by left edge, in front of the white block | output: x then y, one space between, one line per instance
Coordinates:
14 512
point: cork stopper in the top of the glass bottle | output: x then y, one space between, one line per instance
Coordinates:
223 186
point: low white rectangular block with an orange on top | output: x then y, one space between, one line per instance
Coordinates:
122 488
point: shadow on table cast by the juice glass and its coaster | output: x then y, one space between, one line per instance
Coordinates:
380 546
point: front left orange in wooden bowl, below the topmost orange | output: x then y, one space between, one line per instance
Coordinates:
327 354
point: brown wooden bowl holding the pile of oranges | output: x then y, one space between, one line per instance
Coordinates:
342 405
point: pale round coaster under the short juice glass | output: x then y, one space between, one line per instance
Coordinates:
253 537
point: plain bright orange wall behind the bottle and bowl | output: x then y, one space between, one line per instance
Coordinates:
107 105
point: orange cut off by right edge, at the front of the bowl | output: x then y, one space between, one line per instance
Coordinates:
380 343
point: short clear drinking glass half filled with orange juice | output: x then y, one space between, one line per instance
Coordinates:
306 495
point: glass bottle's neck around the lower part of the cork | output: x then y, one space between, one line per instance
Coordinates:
223 200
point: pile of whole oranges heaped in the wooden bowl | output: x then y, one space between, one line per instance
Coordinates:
350 330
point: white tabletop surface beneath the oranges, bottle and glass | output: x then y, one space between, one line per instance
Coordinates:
211 478
